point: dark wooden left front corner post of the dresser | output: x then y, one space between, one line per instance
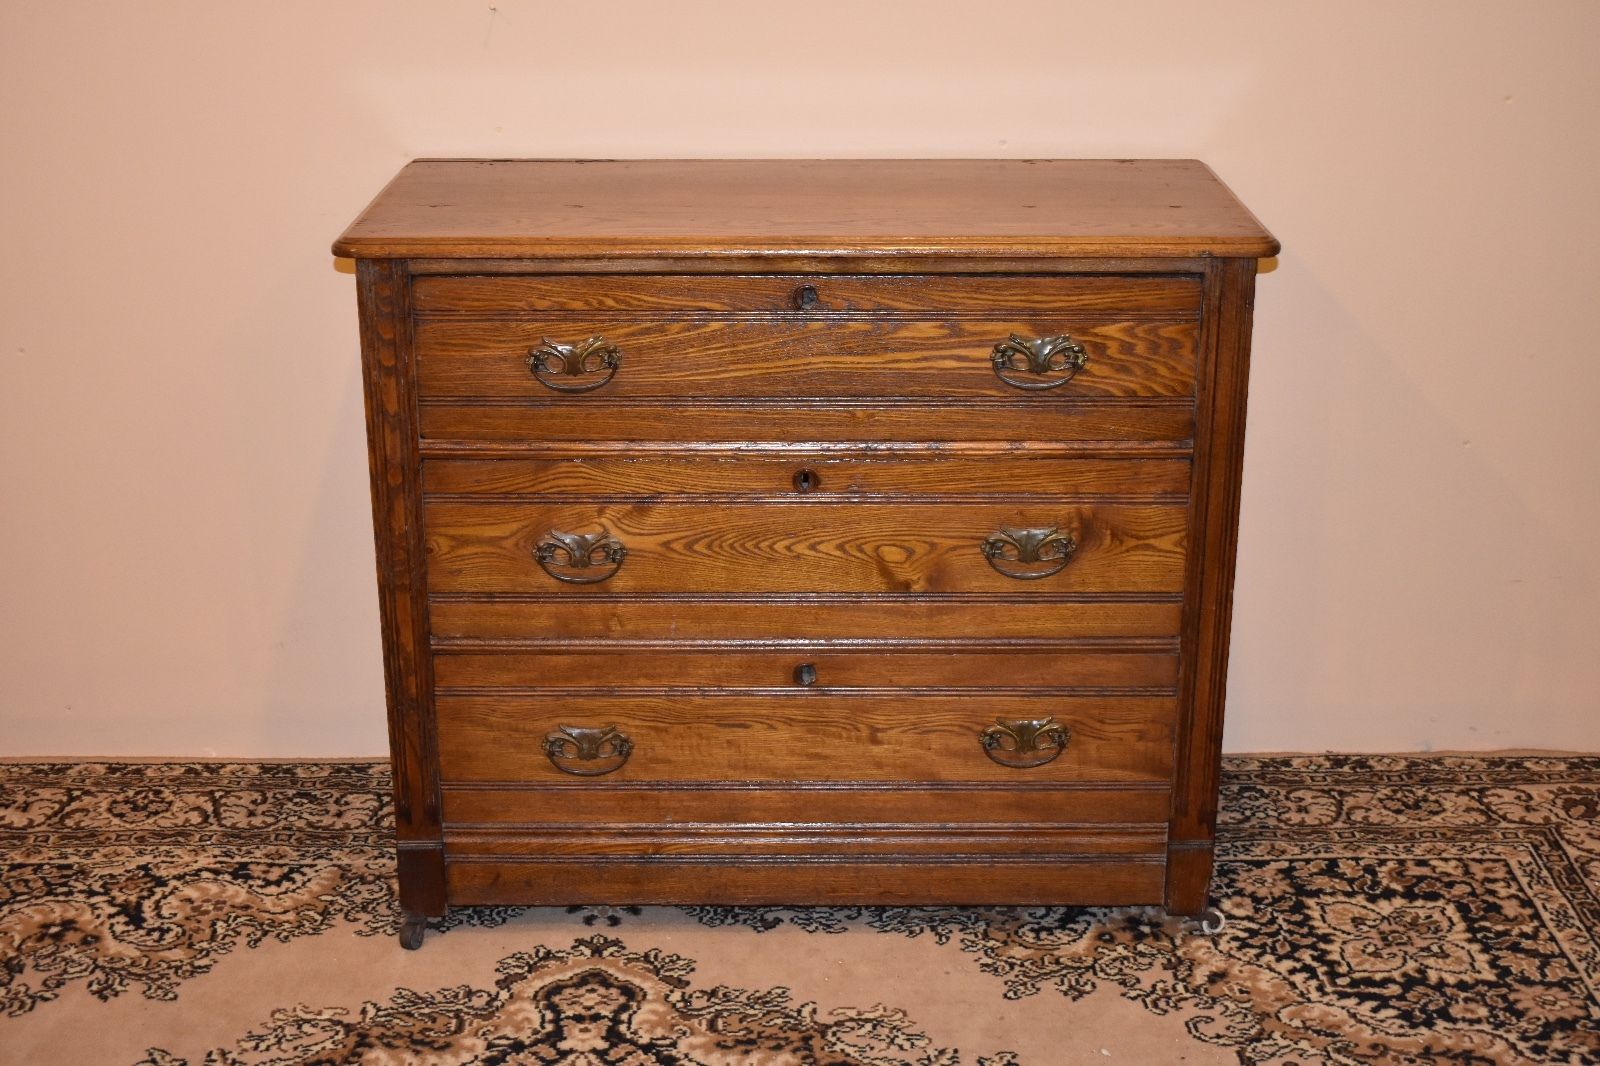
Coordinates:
388 367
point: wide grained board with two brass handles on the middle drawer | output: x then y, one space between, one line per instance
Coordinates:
814 547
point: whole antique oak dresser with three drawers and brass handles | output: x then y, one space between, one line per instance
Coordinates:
806 532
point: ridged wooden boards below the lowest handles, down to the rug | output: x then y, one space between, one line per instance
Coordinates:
786 844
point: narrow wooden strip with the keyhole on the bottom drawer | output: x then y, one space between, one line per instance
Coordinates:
820 670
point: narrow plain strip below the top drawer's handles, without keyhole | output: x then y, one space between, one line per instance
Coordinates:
999 427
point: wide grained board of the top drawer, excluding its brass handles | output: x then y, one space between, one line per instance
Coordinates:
804 356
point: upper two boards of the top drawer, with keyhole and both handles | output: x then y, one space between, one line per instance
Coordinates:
654 337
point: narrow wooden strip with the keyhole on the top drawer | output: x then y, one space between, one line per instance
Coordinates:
532 294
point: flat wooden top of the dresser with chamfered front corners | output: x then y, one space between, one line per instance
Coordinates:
638 209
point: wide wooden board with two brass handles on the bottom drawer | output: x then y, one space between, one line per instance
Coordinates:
802 737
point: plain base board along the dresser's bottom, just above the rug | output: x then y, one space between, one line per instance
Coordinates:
807 881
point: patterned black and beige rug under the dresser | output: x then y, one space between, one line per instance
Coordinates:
1382 910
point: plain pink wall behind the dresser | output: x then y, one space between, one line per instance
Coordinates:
185 548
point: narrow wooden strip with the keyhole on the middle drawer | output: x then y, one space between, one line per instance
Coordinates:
718 476
